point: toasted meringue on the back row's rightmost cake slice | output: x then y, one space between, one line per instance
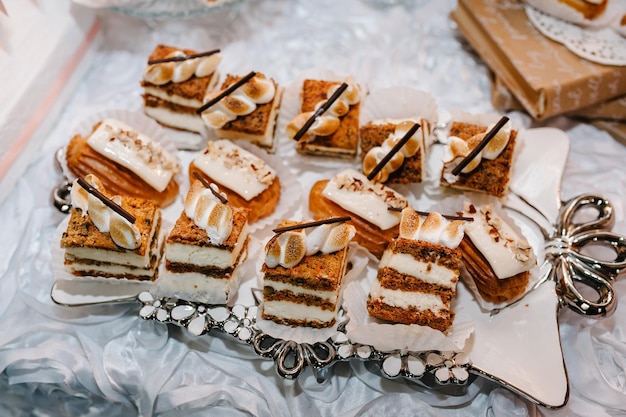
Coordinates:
458 148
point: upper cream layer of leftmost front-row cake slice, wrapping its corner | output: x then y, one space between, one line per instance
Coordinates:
127 258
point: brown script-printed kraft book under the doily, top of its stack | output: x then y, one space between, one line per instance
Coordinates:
544 76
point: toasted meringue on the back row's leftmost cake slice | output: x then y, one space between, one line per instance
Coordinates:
180 71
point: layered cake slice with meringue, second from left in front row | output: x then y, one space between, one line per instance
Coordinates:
205 248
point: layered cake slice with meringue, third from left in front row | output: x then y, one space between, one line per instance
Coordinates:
303 273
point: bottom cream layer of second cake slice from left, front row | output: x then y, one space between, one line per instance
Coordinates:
196 287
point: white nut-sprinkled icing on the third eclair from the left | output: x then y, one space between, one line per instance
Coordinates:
354 192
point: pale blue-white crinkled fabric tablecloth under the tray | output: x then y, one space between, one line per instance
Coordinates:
105 360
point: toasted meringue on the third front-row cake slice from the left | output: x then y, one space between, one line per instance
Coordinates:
289 248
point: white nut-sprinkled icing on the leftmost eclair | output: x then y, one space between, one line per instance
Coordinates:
132 149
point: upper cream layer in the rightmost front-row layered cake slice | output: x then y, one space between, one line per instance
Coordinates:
427 272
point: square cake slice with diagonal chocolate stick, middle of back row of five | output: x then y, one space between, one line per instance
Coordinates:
331 131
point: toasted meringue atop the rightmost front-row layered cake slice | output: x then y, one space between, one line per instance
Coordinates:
434 228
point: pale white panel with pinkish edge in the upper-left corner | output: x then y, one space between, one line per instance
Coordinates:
45 49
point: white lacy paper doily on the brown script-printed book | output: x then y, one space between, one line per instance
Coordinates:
601 45
